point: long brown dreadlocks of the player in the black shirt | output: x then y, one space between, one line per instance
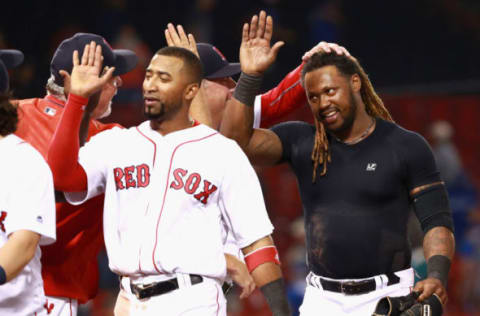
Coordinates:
374 107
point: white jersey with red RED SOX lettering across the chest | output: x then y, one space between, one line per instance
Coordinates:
167 198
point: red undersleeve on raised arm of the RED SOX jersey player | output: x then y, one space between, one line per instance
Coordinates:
68 174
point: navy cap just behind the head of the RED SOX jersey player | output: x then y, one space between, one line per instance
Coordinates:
215 65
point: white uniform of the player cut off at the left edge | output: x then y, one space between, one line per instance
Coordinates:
27 202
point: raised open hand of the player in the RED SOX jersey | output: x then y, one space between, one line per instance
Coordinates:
85 79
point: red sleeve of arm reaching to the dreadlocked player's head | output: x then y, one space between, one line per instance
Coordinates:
289 95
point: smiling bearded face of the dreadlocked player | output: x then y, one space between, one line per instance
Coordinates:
331 97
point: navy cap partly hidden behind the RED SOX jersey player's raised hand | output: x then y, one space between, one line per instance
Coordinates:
123 60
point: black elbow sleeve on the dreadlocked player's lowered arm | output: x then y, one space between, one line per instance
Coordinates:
433 208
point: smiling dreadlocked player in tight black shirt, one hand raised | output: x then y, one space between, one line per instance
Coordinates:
358 174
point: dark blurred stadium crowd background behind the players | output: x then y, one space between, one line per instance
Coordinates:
423 56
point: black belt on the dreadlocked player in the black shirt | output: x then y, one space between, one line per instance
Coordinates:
355 287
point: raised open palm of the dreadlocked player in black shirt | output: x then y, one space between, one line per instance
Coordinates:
256 54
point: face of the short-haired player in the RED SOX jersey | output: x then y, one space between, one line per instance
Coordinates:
163 87
